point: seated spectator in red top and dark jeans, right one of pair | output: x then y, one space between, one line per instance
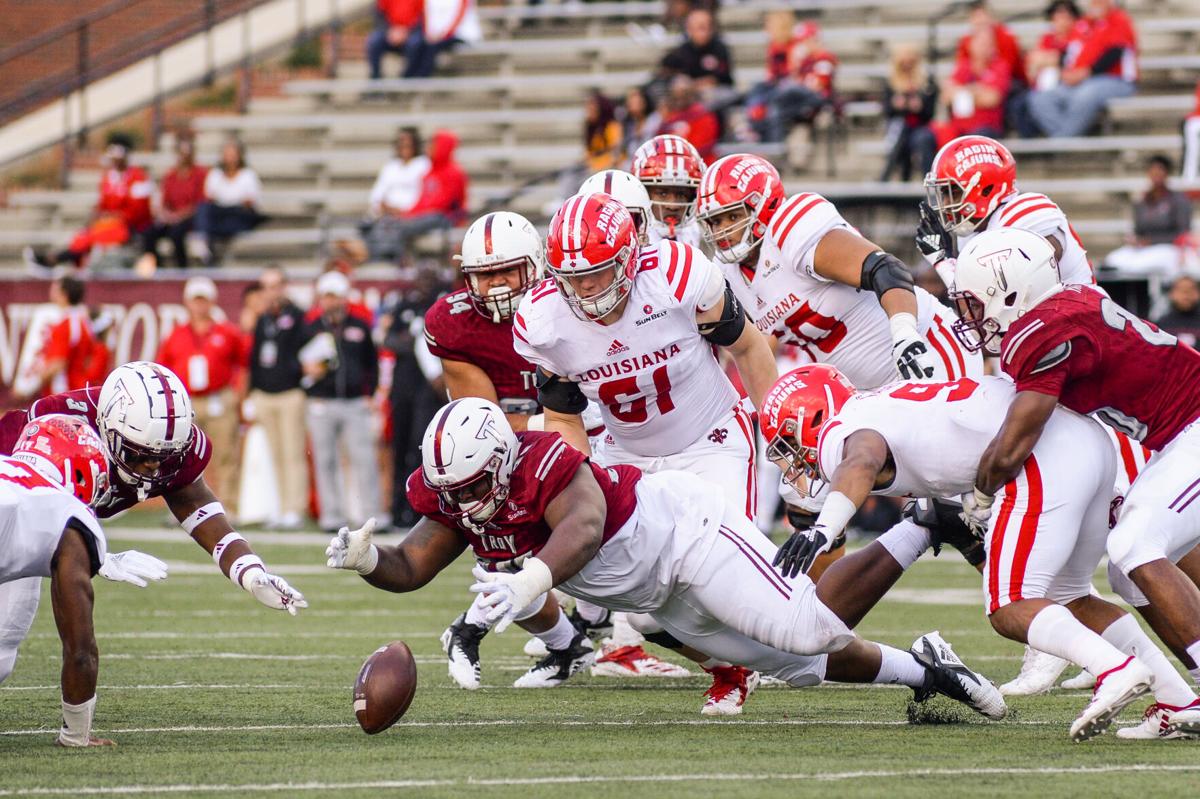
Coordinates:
805 91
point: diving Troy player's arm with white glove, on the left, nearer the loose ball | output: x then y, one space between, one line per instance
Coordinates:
428 549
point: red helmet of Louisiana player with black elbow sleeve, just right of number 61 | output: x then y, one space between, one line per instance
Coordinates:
739 183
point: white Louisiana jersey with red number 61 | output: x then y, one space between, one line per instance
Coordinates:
656 379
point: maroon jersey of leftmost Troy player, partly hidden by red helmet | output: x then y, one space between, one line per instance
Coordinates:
121 496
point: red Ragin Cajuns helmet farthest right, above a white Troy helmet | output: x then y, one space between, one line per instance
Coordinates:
968 181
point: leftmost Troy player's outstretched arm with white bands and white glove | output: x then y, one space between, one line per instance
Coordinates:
202 516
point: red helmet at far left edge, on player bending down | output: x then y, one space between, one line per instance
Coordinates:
68 452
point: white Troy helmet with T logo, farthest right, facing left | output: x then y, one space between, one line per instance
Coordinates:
1000 277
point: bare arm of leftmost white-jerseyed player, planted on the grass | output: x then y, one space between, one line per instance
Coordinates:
73 599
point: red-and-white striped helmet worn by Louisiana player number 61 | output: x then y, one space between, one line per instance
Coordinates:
590 236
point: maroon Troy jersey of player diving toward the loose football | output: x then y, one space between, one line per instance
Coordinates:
545 466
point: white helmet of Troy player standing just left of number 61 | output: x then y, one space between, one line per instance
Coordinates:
497 243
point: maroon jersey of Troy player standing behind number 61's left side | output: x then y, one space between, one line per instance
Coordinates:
457 332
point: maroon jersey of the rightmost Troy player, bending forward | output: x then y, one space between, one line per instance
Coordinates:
1099 358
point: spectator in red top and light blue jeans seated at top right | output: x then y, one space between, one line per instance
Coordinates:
1102 68
